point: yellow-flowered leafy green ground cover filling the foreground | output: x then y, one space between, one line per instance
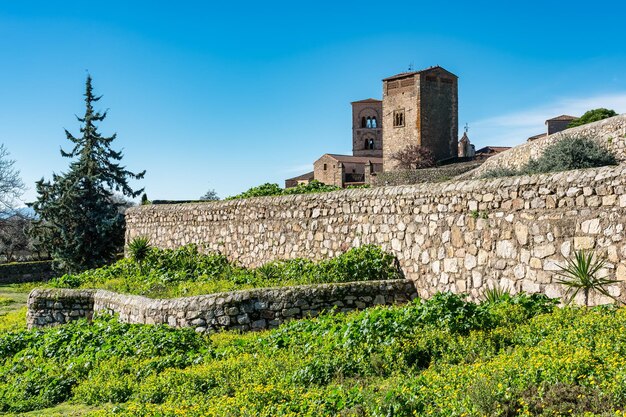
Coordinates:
512 356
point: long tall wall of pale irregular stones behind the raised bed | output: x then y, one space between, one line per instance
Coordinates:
456 236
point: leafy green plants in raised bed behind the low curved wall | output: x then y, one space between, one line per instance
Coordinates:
185 271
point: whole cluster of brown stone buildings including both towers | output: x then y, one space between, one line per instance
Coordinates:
418 107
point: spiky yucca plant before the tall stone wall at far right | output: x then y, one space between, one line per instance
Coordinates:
580 273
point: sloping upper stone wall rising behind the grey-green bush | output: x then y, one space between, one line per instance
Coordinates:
609 133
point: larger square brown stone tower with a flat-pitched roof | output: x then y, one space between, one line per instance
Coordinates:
420 108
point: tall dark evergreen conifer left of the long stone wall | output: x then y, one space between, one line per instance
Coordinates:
80 222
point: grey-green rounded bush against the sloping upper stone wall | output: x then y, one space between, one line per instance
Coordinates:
564 155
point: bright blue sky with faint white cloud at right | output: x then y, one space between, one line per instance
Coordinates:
227 95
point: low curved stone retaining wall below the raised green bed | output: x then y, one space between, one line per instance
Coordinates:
256 309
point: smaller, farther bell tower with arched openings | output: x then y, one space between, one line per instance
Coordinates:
367 127
